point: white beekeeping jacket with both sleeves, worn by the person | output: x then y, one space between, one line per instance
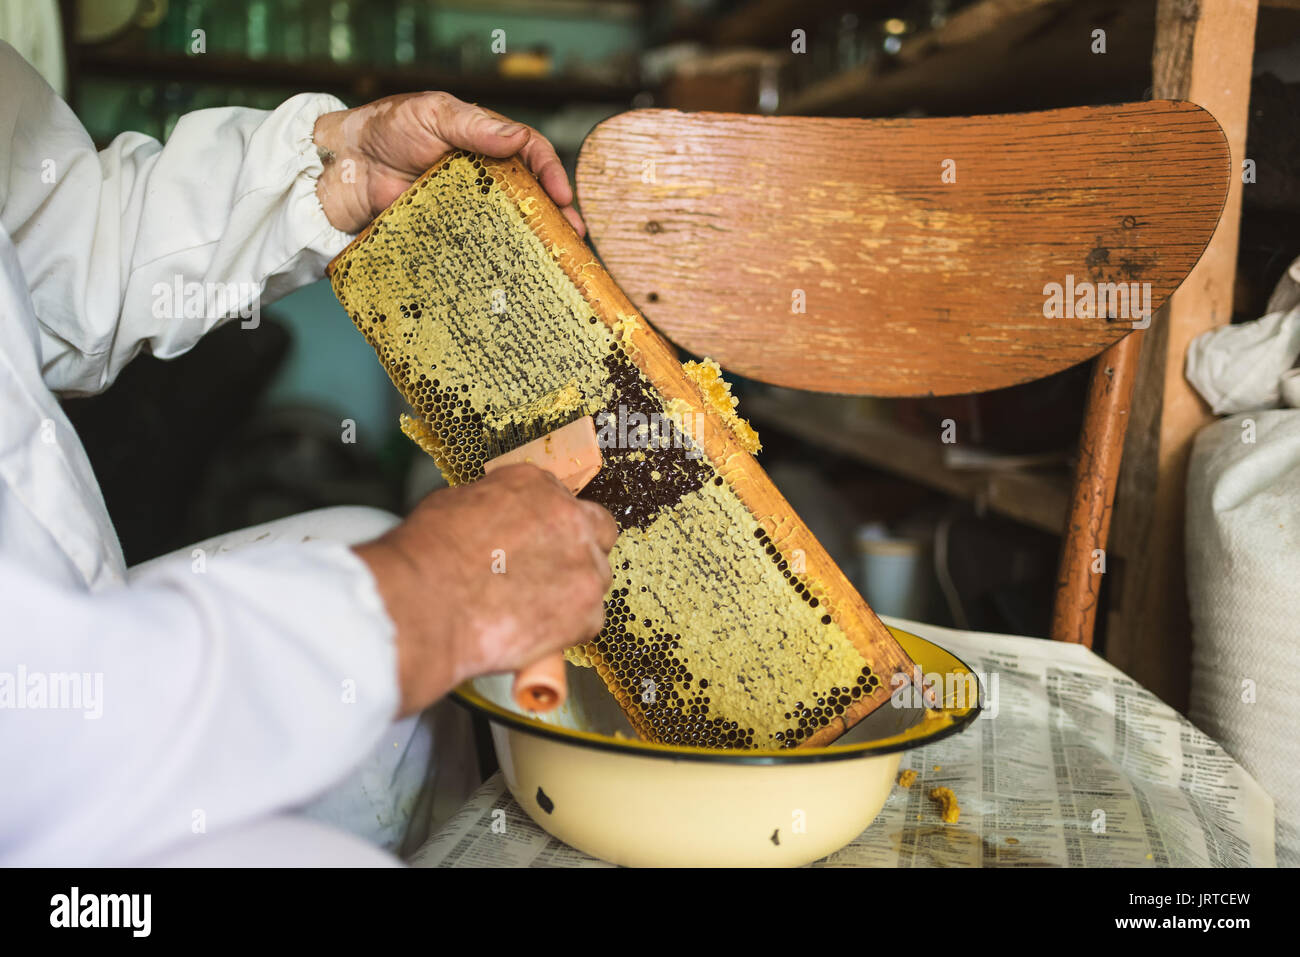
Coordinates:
226 695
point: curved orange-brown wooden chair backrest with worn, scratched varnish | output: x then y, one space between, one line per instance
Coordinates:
722 227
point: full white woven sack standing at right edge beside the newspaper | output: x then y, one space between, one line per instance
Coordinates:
1243 583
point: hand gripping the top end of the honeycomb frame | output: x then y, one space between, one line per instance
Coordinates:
375 153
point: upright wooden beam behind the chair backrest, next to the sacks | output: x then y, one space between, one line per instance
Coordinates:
1203 54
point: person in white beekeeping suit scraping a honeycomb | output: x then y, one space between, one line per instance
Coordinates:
184 713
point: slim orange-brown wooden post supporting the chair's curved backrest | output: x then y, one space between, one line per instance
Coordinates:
1084 553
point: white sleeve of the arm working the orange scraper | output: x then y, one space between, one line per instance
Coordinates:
188 703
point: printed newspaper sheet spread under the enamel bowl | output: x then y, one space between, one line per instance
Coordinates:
1071 765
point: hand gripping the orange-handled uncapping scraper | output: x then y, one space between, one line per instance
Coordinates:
491 577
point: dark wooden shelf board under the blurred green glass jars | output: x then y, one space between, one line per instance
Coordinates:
356 81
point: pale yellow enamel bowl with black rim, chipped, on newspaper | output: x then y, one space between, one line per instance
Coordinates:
584 777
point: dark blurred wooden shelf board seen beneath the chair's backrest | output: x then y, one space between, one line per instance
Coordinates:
1038 499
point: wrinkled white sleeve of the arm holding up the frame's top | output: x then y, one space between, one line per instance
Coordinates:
150 246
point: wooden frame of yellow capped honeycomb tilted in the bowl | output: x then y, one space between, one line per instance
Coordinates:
419 287
